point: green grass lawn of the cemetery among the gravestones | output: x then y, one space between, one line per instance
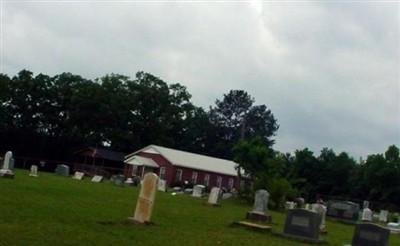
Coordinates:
53 210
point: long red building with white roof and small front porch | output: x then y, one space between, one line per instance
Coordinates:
181 168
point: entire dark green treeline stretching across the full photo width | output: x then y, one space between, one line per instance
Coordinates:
50 117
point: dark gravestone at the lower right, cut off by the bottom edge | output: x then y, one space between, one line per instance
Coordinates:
367 234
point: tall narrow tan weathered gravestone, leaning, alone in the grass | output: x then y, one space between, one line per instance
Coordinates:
144 206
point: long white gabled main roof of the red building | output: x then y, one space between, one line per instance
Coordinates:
191 160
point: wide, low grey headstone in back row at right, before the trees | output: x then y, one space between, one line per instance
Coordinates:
343 210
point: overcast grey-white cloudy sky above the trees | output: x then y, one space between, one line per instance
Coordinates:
328 70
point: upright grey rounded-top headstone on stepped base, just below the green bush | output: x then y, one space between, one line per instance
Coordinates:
260 208
